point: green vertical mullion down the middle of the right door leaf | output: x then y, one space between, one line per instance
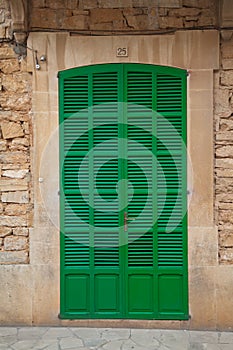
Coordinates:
155 191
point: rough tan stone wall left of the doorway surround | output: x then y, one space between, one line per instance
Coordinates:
15 143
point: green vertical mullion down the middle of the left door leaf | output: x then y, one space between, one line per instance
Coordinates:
91 193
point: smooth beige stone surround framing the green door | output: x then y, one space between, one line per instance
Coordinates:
196 51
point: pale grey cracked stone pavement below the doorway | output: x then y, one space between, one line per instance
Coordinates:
70 338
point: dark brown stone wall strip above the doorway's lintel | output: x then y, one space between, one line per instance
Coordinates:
122 15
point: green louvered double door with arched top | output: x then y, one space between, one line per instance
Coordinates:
123 192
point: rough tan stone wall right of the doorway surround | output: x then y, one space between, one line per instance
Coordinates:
224 149
